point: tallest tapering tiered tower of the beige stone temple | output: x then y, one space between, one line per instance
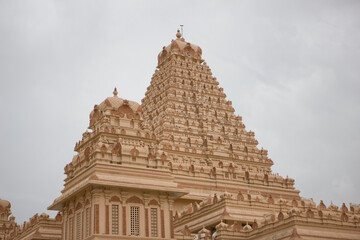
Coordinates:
208 148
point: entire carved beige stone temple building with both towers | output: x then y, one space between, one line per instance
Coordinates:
180 165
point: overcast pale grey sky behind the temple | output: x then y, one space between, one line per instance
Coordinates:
291 69
